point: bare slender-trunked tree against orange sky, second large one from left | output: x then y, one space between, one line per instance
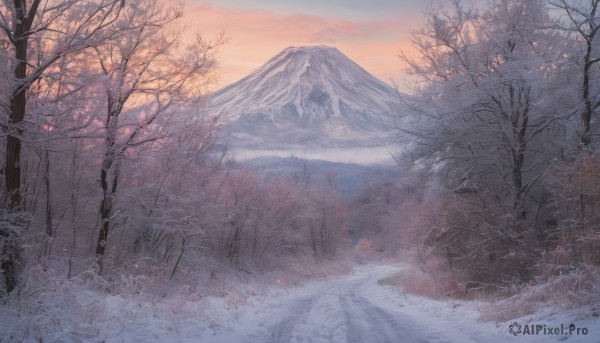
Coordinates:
146 73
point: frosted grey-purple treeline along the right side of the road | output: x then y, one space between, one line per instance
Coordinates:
502 128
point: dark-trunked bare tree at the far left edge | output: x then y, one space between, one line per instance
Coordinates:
63 27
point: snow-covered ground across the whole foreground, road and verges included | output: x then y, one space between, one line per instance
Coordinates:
352 308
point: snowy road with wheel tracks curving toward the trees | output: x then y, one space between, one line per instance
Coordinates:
353 308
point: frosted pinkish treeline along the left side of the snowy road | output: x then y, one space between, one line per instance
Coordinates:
110 158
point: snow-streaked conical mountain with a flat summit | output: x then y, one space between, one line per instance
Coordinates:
307 96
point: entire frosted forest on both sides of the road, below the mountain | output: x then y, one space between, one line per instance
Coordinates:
115 178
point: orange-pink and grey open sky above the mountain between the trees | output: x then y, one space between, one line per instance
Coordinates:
372 33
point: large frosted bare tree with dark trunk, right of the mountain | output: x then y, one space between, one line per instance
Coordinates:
490 108
